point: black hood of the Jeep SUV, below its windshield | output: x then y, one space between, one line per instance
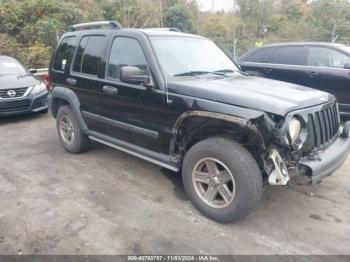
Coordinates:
252 92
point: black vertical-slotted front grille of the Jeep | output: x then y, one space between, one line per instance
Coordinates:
323 126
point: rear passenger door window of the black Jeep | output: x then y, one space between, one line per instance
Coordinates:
88 56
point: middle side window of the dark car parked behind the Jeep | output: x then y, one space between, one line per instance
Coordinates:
287 55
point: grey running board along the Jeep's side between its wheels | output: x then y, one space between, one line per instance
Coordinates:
145 154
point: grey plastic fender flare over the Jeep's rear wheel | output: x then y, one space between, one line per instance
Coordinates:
62 94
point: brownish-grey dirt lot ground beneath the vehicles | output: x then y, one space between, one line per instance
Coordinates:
107 202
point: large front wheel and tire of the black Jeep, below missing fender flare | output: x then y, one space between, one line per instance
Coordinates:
233 162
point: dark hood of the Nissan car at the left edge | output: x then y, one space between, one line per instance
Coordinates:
15 81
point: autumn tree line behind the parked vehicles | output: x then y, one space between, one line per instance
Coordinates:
30 29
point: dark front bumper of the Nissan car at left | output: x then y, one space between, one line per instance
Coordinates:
29 104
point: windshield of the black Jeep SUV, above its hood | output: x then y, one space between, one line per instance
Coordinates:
181 55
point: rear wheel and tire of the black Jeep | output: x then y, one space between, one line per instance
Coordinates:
78 142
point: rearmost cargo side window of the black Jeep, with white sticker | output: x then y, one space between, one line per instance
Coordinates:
64 53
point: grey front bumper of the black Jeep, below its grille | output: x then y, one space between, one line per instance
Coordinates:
326 162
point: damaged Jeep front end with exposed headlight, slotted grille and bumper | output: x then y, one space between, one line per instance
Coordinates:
309 142
